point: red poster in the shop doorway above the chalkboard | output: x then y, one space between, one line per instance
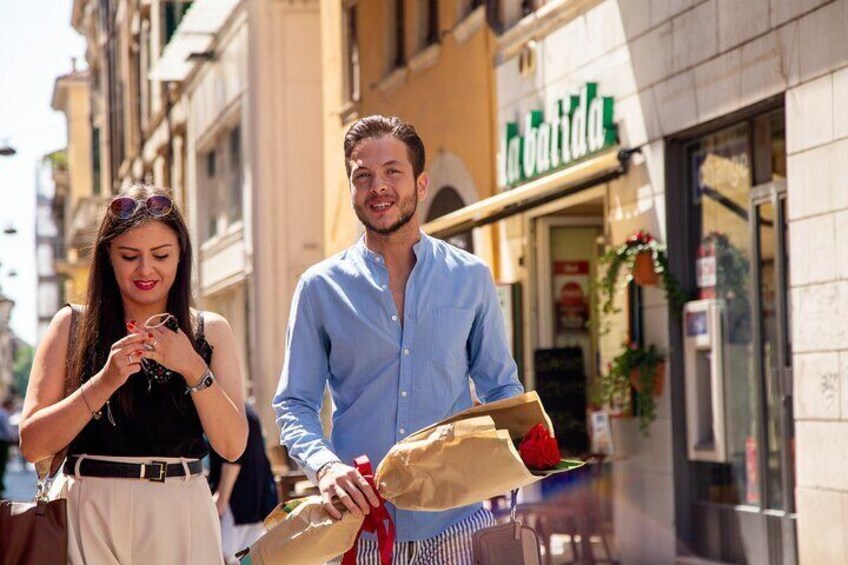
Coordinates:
571 295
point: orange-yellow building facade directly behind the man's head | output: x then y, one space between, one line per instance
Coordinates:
430 66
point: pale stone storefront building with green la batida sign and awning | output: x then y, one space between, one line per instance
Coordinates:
726 127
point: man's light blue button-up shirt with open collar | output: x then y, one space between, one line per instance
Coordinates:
389 379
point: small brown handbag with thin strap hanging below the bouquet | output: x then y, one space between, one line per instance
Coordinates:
512 543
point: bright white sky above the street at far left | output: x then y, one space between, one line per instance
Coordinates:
37 43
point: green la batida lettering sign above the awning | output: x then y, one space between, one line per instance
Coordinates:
581 126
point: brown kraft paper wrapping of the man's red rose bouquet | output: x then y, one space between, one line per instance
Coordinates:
464 459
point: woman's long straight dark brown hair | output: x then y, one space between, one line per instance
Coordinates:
103 323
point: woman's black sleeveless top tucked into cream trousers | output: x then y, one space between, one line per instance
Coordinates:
162 420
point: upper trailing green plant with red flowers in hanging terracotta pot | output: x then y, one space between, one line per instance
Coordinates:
625 256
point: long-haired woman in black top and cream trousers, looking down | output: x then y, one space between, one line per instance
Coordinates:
149 393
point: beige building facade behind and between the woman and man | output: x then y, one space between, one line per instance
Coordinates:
213 99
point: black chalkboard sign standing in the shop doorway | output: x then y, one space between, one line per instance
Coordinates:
561 384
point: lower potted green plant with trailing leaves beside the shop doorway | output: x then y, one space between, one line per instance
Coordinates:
639 368
